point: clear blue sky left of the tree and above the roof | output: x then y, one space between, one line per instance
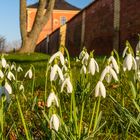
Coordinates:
9 17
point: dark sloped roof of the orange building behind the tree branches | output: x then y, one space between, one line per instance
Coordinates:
59 5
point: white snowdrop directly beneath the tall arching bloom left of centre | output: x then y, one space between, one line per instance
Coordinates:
54 70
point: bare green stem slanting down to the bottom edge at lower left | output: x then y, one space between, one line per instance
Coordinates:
23 120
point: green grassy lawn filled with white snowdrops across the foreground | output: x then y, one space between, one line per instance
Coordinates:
81 103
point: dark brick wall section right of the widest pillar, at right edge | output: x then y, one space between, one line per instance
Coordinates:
130 22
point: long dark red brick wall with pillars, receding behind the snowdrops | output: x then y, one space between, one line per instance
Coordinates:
103 25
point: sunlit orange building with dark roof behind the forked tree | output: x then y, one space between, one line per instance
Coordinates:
63 12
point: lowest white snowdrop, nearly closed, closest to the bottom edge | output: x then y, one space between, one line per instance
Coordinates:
54 122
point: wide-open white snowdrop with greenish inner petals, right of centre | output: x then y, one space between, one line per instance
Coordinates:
108 73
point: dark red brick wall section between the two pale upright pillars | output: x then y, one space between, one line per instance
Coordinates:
99 27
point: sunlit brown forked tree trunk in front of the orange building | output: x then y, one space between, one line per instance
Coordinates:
29 40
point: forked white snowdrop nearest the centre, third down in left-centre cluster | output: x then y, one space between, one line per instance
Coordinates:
68 85
